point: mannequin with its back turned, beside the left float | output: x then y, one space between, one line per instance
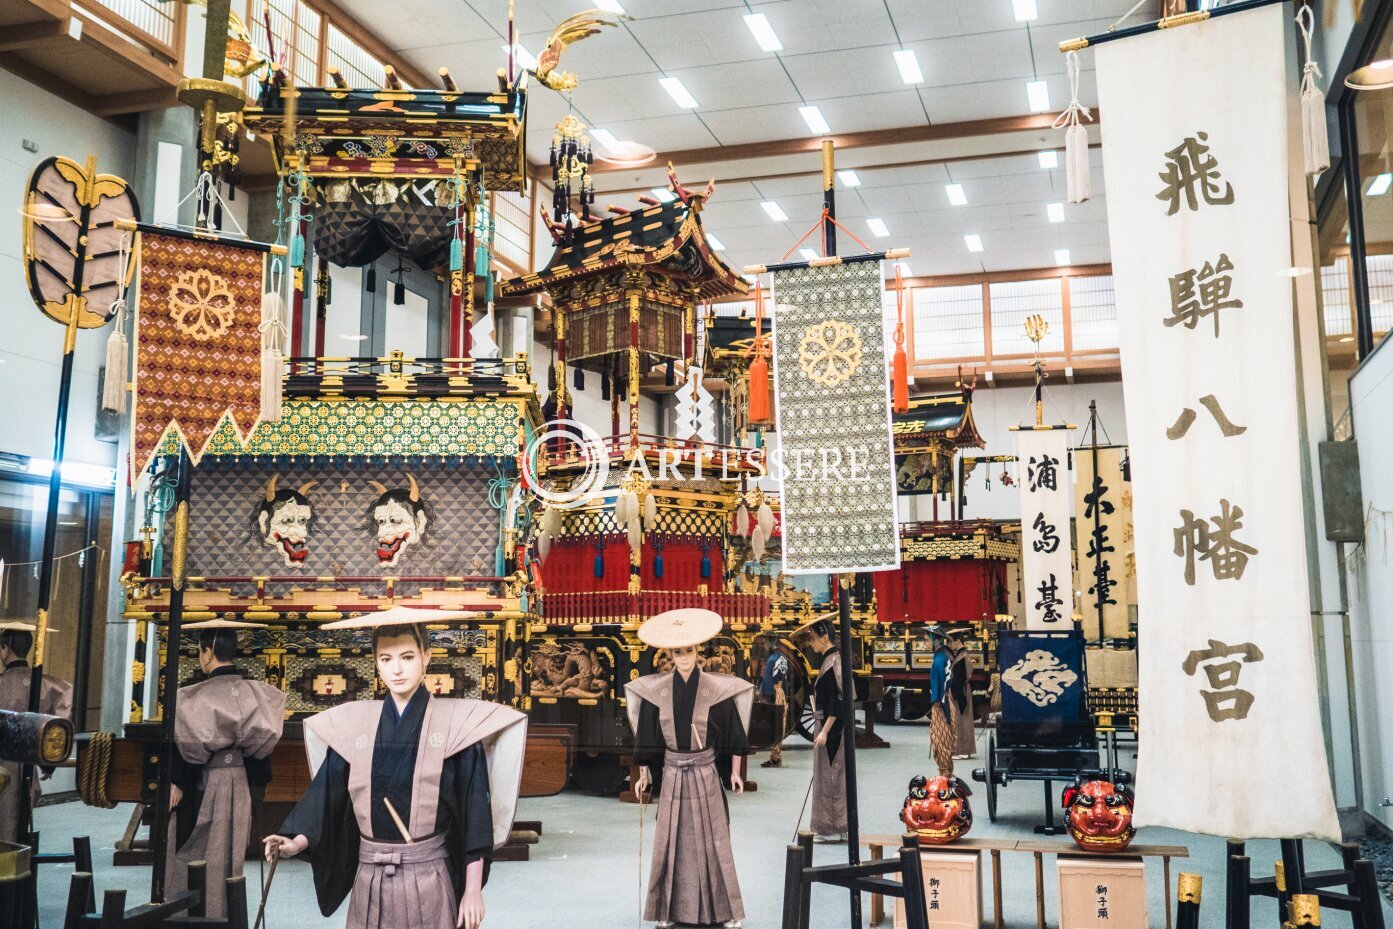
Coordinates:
225 731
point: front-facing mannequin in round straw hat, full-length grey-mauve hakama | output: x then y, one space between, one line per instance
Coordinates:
687 726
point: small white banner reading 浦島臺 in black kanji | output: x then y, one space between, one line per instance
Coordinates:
1047 503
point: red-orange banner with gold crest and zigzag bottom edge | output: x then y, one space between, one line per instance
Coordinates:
197 341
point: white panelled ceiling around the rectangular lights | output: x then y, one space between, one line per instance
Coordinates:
836 55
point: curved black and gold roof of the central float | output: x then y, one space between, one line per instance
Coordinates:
665 239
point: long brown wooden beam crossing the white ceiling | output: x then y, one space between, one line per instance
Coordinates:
845 141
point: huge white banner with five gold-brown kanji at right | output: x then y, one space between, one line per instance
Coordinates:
1197 154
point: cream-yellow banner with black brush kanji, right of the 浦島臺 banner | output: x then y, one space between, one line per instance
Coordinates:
1103 520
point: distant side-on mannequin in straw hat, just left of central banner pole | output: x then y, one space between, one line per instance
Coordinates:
830 779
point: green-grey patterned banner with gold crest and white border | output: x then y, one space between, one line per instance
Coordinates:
832 388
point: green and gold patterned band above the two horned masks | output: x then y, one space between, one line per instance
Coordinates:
377 428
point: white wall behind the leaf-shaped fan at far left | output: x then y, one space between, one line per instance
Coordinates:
31 348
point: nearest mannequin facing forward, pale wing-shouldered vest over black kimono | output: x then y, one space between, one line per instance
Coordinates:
410 796
